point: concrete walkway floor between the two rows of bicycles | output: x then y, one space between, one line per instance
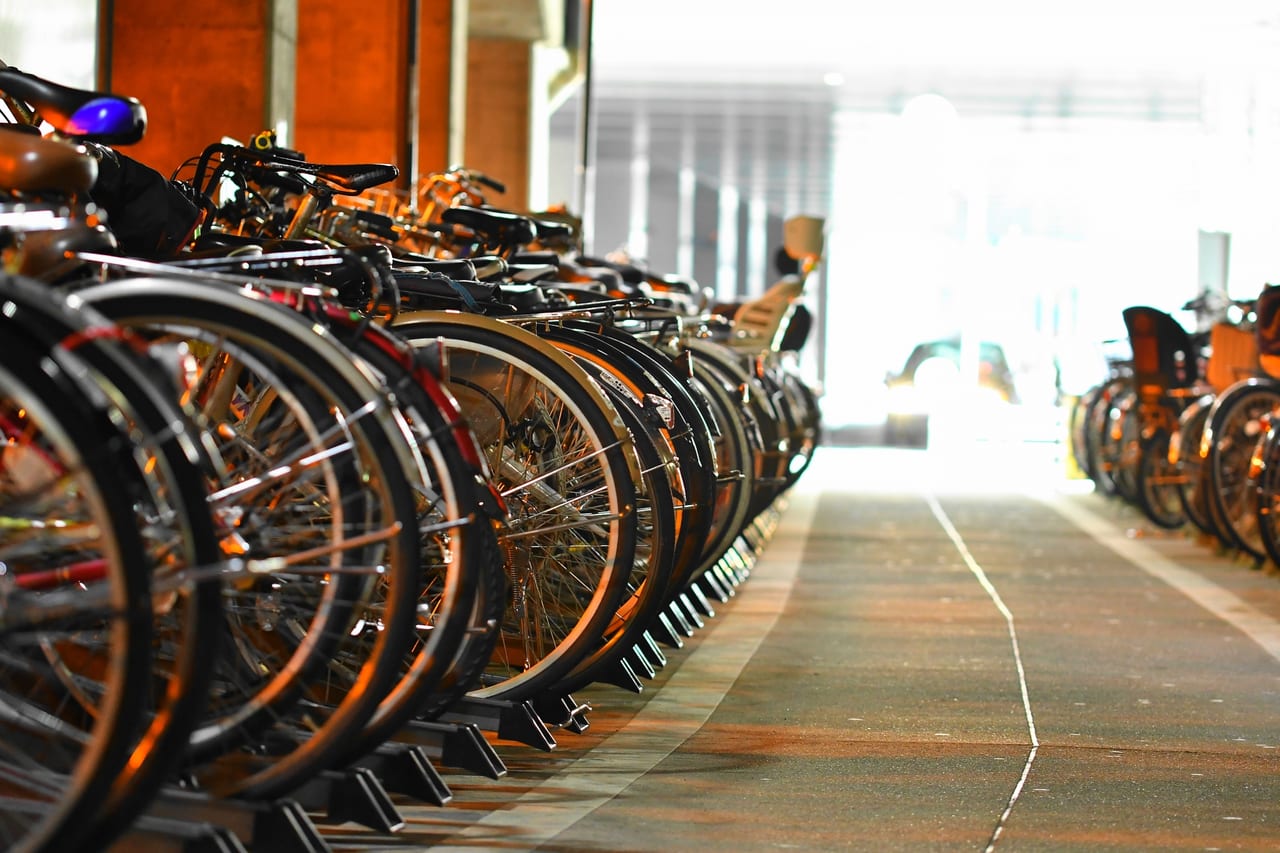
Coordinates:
944 650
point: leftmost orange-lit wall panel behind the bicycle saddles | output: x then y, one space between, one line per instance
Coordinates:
200 76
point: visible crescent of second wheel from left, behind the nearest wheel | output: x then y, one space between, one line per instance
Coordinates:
182 550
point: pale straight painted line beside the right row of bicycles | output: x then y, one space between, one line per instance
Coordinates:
1252 623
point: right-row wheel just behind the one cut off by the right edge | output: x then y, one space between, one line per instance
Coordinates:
1237 423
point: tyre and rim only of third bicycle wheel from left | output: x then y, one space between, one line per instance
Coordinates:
359 678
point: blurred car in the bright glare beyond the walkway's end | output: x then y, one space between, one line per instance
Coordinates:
932 382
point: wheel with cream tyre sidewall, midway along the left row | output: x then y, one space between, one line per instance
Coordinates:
559 453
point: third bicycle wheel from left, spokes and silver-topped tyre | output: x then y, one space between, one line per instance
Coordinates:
317 495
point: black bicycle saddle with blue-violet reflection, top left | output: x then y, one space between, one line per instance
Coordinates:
84 115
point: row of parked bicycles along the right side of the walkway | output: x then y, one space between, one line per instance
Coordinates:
1186 426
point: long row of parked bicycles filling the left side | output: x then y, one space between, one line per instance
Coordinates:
296 467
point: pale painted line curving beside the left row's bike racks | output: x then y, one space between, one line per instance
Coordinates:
675 713
